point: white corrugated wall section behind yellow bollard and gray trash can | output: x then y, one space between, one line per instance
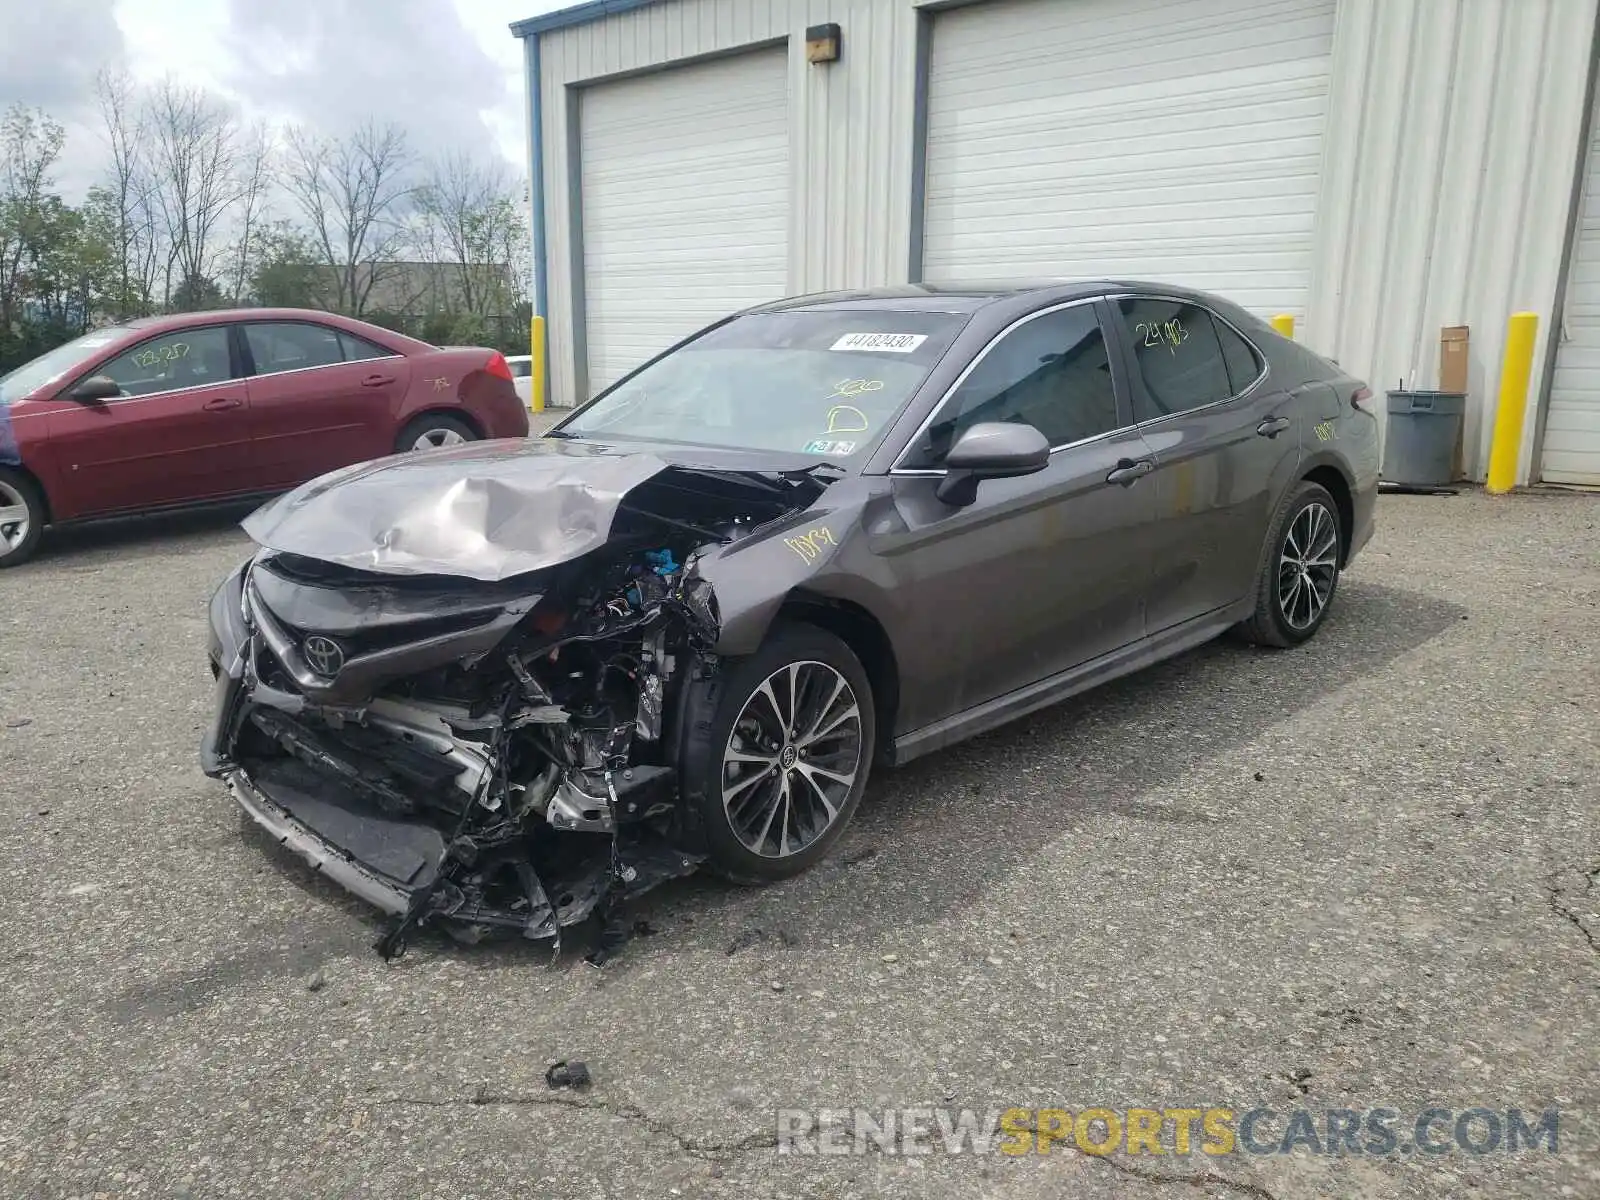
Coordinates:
1447 186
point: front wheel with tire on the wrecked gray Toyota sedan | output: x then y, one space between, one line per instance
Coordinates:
734 718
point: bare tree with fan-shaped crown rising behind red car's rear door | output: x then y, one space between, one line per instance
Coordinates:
351 193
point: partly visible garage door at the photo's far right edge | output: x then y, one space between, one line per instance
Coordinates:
1572 428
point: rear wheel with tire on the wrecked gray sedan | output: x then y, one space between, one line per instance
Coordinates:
1287 614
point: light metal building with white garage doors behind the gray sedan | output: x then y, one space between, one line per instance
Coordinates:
1378 169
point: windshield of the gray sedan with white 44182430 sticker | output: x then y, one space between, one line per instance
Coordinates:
823 383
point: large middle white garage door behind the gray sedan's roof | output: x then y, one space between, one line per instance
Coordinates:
1164 140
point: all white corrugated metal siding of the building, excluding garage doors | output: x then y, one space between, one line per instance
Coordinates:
1446 194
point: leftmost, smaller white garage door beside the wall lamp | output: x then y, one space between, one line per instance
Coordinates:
686 204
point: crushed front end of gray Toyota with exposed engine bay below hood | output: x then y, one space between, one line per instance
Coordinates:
498 758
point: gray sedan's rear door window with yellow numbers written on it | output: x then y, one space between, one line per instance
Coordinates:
1178 358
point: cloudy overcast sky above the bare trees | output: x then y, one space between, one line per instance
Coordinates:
447 71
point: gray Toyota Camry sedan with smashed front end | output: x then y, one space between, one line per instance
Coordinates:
506 687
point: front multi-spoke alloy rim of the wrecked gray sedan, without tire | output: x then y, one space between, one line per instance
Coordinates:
793 759
